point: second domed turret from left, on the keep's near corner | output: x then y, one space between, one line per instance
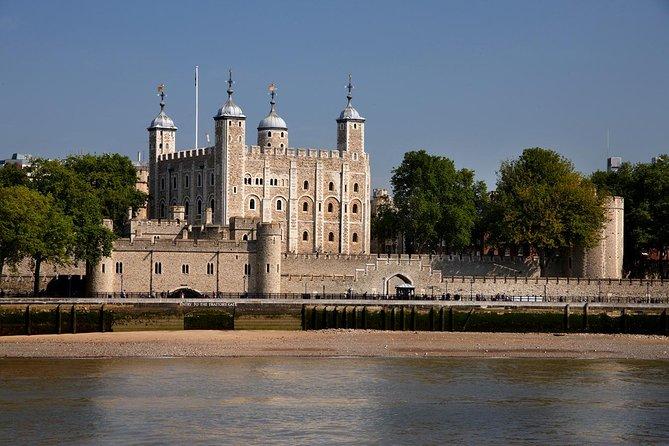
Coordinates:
230 127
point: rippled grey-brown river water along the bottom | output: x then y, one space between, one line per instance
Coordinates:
333 401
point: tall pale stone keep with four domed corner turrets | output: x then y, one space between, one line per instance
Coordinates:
318 198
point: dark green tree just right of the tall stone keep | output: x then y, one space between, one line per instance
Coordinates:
436 203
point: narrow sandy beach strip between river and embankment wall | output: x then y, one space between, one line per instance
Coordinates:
332 343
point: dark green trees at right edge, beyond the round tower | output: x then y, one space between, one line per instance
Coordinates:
645 188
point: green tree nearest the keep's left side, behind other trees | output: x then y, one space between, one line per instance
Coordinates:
112 178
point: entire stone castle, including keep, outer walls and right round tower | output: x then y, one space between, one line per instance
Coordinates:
269 218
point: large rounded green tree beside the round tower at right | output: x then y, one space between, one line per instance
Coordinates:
542 203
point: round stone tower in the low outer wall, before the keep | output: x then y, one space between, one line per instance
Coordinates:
268 258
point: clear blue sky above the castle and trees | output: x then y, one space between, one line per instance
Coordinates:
476 81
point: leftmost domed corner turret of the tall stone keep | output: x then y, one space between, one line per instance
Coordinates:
162 140
